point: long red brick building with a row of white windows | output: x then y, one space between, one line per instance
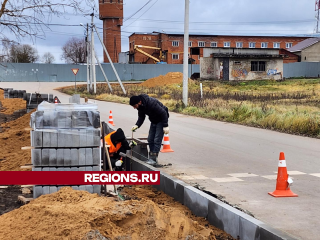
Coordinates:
171 45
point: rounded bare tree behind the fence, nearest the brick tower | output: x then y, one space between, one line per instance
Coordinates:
75 51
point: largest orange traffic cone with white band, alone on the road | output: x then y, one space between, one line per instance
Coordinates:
282 187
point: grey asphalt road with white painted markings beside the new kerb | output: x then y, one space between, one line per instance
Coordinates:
237 162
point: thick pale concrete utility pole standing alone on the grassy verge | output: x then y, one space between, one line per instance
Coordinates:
185 54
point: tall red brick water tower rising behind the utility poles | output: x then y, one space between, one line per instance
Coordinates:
111 13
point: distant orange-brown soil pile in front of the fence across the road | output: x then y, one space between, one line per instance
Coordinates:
162 80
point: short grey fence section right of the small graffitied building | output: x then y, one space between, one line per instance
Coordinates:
301 69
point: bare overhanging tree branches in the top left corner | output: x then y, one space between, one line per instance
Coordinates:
28 17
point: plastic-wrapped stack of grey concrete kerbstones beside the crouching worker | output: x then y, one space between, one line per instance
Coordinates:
65 137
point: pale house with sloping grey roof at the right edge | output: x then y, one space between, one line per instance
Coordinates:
308 50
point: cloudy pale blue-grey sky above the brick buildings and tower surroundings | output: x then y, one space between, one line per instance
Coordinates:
232 17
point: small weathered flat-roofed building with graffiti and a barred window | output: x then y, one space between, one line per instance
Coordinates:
241 64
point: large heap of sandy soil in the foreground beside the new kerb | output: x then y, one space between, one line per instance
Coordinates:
70 214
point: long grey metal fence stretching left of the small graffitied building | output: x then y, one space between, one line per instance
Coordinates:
33 72
